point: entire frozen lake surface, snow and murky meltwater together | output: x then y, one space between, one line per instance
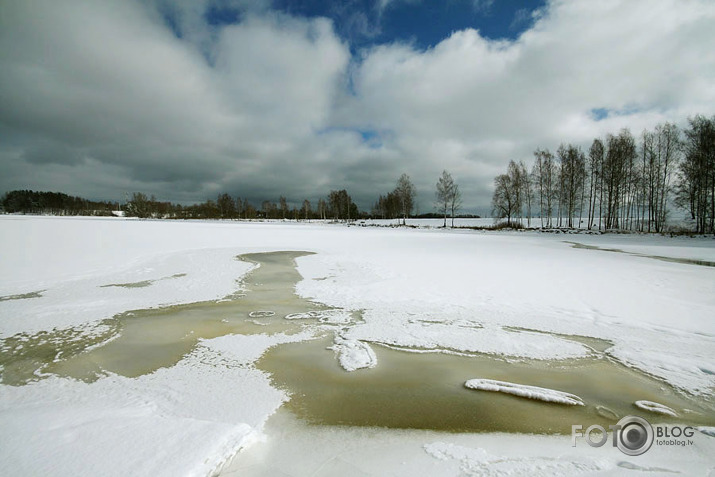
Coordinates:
112 328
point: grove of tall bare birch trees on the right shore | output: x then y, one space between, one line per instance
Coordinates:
620 183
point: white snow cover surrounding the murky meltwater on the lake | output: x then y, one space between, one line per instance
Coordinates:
508 294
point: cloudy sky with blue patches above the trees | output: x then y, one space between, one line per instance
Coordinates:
186 99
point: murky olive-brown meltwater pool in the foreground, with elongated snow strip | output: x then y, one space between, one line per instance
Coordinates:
409 390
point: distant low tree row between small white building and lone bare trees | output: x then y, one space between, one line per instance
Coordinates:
338 205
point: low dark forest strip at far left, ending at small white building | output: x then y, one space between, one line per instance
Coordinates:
54 203
